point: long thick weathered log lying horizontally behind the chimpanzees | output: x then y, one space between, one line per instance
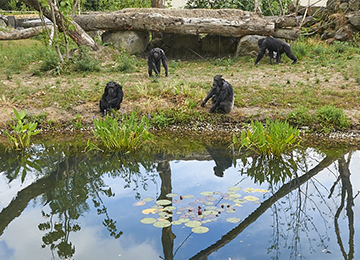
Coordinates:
224 22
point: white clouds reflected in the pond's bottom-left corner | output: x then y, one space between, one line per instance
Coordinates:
89 242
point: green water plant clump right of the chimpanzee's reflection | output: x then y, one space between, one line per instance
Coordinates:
276 138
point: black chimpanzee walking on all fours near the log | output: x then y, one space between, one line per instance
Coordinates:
274 45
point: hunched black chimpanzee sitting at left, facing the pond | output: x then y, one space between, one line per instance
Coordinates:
111 98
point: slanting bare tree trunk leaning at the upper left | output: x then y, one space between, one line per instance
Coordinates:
79 36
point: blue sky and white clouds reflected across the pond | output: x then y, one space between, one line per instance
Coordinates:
22 239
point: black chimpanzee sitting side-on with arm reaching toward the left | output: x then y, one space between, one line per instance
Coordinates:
222 95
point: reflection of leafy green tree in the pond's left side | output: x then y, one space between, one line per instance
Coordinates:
66 188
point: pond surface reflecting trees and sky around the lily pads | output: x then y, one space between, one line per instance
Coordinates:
68 186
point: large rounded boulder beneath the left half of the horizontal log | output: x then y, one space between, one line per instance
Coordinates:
131 41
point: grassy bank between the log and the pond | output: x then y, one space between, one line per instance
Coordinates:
325 76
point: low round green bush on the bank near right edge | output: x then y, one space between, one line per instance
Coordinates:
330 117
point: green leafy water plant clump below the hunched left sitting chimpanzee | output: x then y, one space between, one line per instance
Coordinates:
126 135
